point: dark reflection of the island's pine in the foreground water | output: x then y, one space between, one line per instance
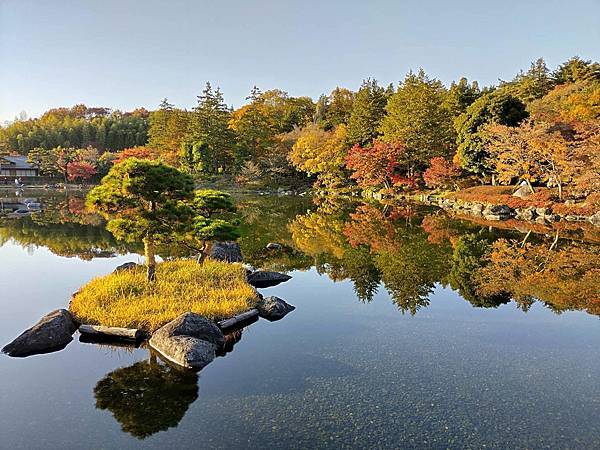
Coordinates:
147 397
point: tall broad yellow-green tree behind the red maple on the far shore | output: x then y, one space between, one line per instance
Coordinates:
418 118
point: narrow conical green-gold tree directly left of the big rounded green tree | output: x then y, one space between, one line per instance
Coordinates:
368 109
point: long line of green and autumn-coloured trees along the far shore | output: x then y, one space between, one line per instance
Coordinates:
541 127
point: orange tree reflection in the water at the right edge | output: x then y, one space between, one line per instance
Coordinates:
564 275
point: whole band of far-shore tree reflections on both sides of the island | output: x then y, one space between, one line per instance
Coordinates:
404 249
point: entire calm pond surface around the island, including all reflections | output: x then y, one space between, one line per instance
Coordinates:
412 328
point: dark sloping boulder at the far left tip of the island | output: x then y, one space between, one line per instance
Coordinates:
51 333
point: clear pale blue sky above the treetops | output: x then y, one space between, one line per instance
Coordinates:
124 53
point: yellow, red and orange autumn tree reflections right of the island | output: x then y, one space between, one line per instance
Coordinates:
409 255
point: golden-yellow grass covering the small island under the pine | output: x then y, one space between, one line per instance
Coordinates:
126 299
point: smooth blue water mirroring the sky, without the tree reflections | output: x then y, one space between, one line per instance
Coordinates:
335 370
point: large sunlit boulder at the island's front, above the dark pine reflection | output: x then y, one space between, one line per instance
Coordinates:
190 341
